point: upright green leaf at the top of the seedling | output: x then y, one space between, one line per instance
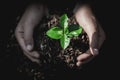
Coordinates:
64 21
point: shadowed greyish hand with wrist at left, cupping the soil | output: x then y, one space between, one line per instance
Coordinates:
24 30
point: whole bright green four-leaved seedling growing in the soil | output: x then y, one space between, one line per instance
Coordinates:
64 32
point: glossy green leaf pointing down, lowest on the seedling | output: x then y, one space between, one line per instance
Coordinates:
64 41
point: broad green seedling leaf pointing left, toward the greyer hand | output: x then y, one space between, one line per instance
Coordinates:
55 33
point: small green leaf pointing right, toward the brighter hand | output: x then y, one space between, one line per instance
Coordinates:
75 32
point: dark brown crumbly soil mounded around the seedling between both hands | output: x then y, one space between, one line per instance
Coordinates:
51 50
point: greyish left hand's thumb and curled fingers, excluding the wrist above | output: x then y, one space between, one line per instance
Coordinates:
25 39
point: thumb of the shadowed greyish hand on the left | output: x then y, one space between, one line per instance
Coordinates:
28 37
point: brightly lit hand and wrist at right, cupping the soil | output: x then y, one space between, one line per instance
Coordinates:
87 20
